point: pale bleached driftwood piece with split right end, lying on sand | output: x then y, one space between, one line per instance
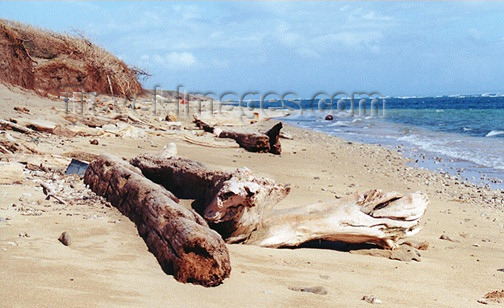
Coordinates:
373 217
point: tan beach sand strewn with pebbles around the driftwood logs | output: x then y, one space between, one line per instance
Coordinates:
108 264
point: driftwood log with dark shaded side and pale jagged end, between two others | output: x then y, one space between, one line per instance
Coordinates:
234 203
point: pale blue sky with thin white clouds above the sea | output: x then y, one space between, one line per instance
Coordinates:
393 48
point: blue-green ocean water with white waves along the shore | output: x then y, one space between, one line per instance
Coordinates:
462 136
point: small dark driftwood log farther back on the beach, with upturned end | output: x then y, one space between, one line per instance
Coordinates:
252 142
